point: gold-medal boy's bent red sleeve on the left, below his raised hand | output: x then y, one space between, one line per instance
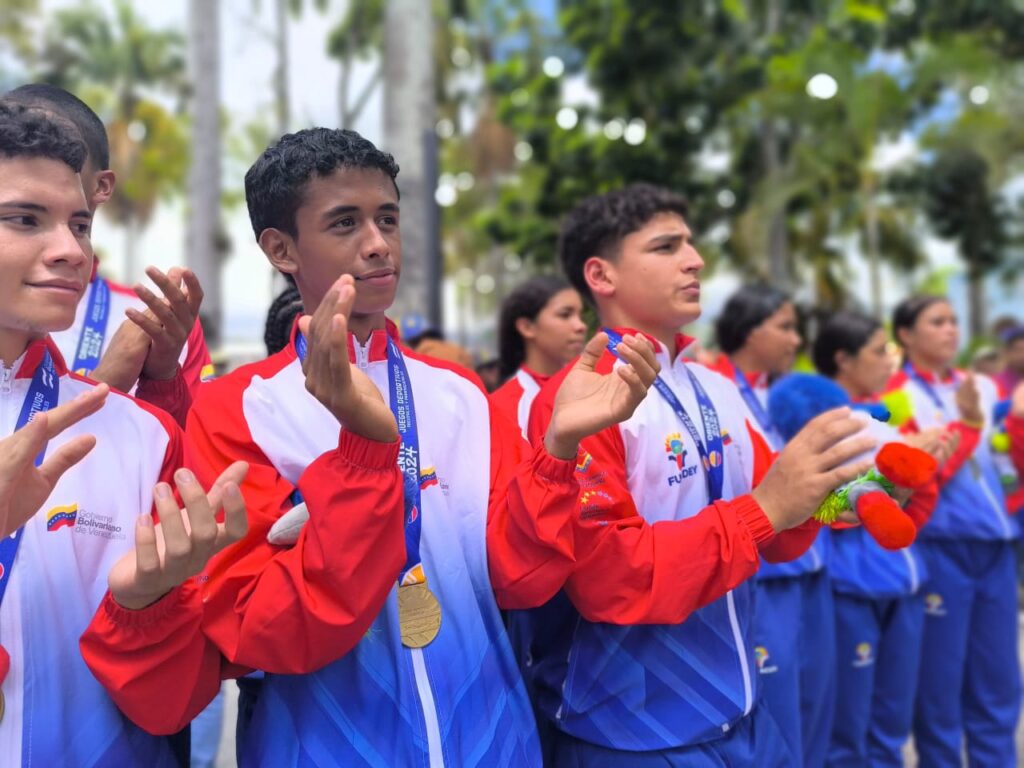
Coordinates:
295 610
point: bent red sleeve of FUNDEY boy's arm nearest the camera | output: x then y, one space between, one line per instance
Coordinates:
631 572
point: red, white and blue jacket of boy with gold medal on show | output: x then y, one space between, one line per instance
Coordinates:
498 531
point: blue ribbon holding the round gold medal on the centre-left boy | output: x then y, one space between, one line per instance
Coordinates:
404 409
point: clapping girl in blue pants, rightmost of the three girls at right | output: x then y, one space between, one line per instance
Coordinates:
970 686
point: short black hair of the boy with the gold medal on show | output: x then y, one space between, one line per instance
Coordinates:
276 184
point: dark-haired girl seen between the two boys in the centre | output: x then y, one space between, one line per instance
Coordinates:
540 330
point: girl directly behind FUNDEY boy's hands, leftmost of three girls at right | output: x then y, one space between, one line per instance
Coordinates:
794 632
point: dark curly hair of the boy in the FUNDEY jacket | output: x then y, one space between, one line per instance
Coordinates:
599 225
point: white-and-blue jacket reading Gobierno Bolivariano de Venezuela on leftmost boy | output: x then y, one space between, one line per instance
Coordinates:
57 712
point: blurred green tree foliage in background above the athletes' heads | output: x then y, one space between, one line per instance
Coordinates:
818 141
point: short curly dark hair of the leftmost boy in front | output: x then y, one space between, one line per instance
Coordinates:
27 133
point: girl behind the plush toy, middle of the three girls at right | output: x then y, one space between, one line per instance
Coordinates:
880 610
